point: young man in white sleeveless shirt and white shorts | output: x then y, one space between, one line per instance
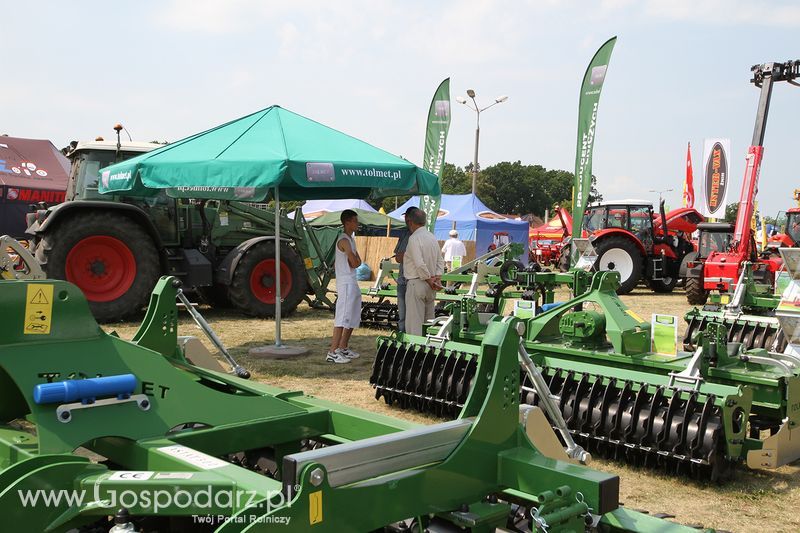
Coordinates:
348 293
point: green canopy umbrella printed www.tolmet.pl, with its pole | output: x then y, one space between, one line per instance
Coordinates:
272 150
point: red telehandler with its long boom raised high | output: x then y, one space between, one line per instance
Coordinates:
721 269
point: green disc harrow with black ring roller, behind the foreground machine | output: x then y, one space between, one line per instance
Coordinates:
691 413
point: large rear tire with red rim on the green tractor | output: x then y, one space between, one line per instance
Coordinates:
71 234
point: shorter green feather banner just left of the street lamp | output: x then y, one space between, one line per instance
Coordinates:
435 143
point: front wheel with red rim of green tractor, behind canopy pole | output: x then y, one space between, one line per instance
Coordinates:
243 295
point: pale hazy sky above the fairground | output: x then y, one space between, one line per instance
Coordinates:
679 73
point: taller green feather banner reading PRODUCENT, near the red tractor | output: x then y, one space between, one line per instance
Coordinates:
587 120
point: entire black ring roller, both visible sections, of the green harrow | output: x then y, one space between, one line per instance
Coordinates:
674 430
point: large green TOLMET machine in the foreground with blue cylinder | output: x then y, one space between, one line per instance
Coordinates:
95 427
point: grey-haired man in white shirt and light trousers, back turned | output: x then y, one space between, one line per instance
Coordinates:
423 267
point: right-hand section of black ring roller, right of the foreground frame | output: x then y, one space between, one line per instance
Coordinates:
677 431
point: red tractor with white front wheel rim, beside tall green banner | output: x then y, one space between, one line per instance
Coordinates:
631 240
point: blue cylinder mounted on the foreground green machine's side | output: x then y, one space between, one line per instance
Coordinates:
84 390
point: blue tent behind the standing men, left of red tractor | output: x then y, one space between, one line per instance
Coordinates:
474 222
